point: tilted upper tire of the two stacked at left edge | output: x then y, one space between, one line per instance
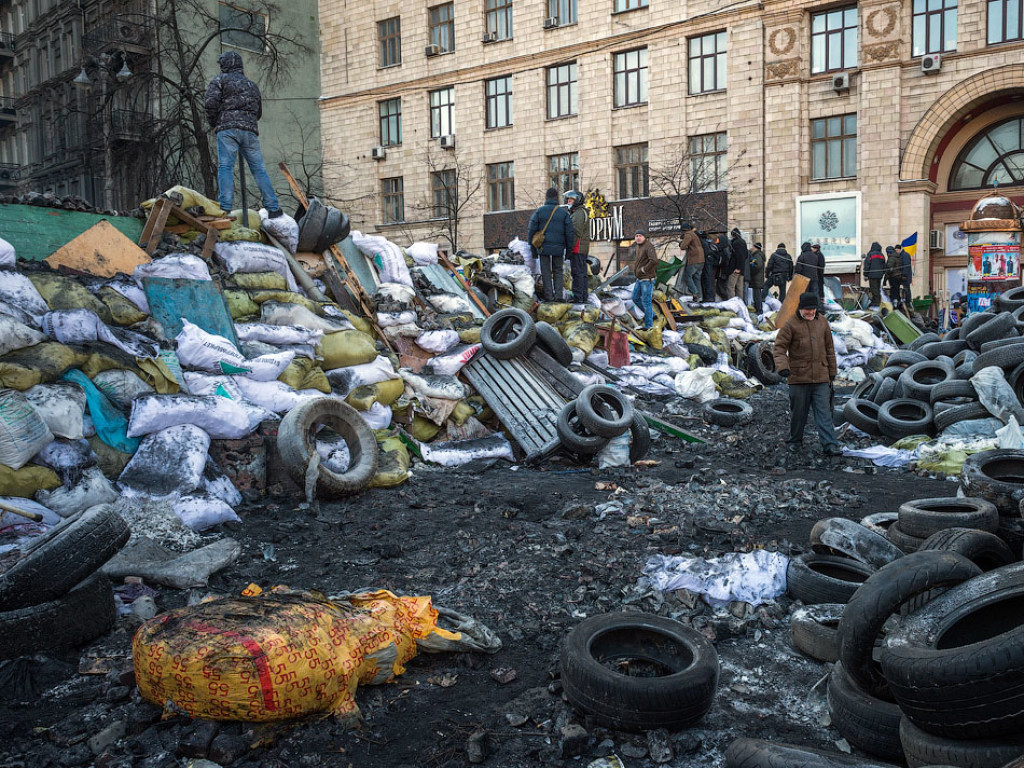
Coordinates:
67 554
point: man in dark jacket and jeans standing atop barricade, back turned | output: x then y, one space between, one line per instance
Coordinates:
234 107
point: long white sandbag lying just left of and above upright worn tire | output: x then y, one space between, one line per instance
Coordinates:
221 418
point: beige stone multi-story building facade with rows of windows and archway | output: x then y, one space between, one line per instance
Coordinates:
846 122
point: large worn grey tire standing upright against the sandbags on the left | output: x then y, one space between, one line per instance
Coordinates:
297 444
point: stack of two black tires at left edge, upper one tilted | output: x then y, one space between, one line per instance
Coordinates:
52 595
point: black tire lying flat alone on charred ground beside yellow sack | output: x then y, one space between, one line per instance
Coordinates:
623 702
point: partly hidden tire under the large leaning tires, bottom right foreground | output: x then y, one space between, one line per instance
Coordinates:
869 723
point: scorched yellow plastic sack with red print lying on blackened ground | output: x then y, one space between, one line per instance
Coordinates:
283 655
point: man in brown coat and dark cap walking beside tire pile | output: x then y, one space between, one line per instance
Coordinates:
805 356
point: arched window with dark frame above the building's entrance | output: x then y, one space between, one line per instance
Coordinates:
996 155
